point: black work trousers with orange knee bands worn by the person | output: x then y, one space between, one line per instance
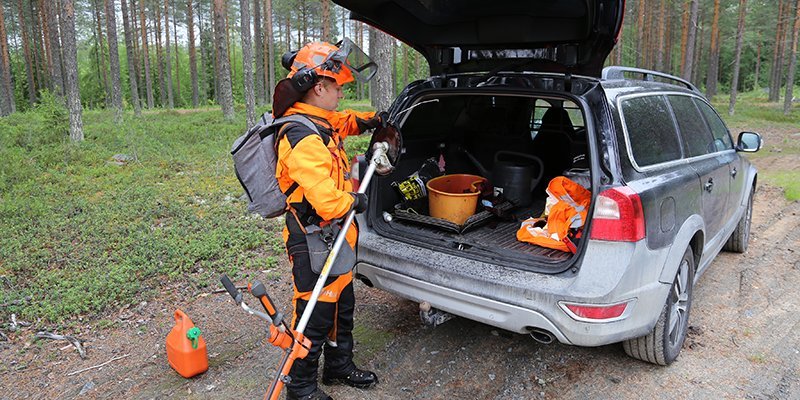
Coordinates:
330 328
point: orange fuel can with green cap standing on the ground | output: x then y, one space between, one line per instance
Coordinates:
186 349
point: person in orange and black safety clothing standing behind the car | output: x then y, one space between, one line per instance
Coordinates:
313 170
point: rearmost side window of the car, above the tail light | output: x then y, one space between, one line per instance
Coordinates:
651 130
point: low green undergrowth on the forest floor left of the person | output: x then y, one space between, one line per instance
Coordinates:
82 233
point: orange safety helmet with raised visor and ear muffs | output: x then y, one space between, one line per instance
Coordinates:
343 62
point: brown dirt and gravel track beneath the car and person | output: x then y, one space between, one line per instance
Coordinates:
744 343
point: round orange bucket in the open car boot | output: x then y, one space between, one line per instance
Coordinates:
454 197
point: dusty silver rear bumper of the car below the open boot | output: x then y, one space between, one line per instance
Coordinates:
519 301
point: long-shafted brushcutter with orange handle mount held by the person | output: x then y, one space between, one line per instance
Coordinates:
292 341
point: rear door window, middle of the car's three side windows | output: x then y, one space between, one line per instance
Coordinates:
697 139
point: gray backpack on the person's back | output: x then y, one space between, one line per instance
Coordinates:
254 160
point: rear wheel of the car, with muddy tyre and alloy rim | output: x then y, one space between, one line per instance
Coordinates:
663 344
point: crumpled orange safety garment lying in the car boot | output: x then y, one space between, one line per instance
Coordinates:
566 209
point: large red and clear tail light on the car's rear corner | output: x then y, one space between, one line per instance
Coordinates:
618 216
